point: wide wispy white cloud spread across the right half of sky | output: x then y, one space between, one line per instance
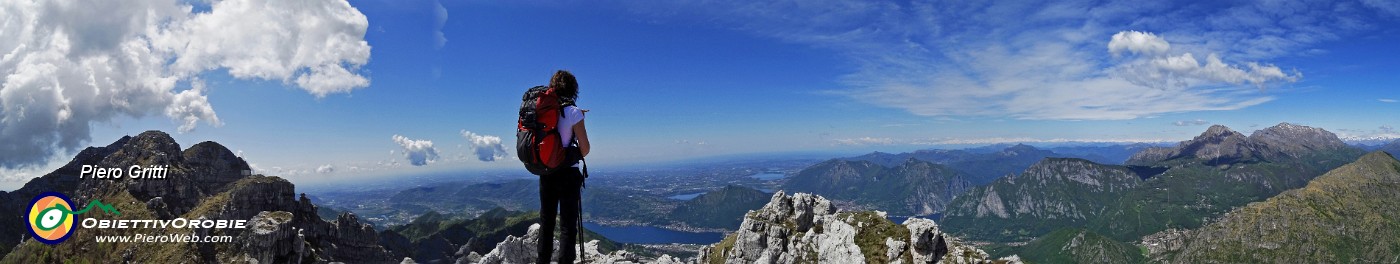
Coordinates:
1046 61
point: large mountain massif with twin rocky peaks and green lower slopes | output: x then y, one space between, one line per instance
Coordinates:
1179 186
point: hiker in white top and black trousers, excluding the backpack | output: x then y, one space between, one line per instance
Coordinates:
559 192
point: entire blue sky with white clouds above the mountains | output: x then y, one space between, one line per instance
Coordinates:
681 80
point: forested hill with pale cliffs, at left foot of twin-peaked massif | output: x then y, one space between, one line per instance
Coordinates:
1053 193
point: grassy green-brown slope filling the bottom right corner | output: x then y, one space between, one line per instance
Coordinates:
1345 216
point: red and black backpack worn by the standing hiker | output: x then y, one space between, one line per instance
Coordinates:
538 143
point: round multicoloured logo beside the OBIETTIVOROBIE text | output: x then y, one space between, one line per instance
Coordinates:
51 219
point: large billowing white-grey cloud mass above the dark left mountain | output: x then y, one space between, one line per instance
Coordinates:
68 65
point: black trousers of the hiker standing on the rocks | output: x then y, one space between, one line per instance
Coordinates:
559 195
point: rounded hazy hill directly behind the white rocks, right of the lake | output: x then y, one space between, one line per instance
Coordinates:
915 188
